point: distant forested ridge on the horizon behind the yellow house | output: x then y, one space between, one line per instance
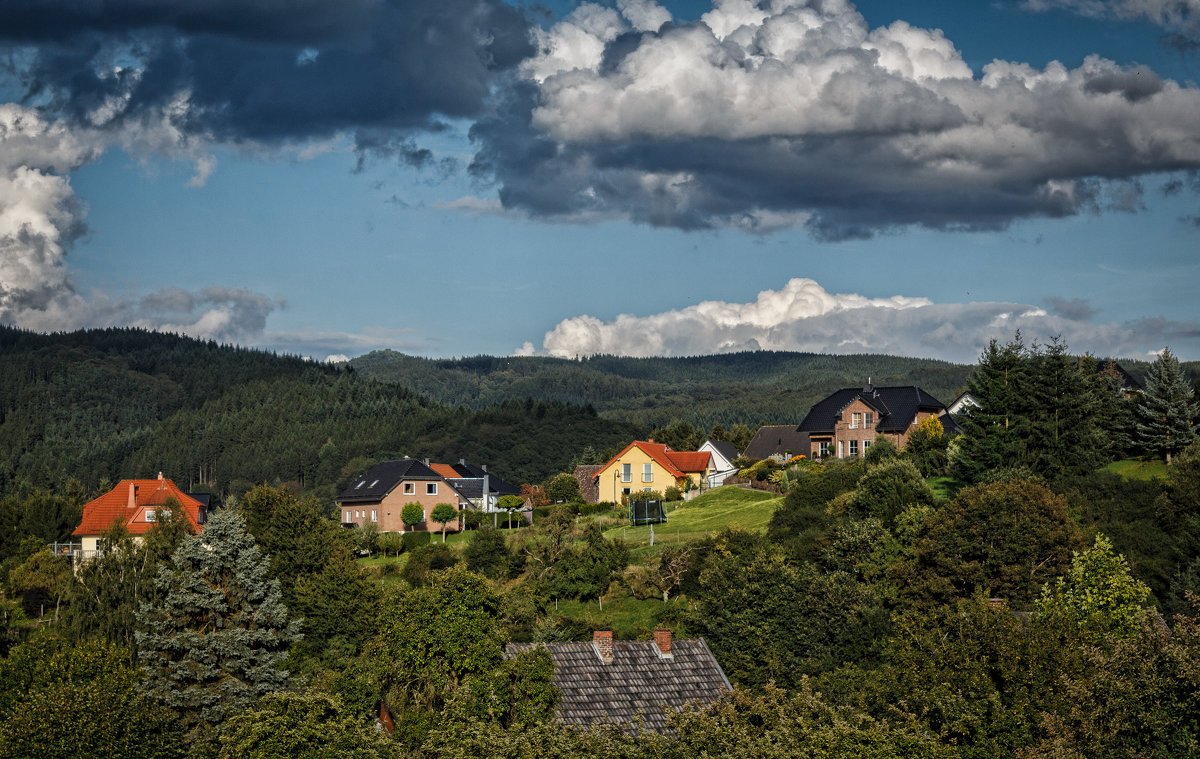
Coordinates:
755 389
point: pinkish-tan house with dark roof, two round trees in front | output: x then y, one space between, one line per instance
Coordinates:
383 492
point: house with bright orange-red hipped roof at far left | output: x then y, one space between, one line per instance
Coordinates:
136 505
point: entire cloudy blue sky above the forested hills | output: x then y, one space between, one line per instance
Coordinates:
453 178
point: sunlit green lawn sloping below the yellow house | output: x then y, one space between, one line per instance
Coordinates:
692 521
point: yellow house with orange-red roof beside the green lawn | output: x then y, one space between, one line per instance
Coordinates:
646 465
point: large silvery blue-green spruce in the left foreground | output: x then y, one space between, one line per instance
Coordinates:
217 640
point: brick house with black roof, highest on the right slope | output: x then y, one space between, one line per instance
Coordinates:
847 423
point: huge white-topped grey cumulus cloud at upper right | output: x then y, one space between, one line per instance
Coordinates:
796 112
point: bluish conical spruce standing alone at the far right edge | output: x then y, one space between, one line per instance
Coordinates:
1168 409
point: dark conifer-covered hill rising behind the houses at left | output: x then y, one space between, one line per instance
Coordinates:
98 407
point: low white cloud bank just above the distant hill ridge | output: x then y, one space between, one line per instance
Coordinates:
802 316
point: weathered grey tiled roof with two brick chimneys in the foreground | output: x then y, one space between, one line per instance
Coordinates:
639 682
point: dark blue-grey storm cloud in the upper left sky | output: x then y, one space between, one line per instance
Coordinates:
265 70
